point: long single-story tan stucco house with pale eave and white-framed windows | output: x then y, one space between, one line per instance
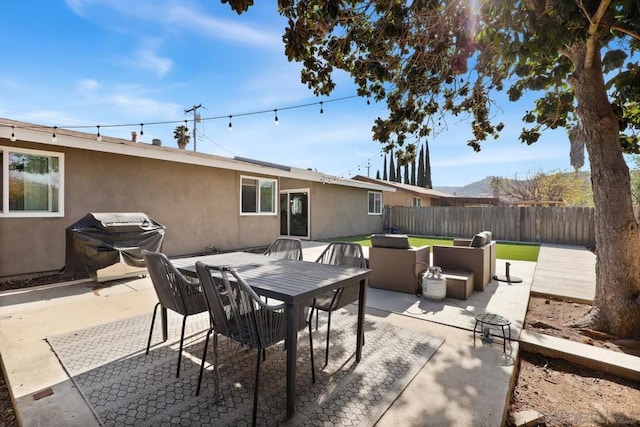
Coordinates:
53 177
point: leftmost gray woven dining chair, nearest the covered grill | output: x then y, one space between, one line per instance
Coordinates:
174 292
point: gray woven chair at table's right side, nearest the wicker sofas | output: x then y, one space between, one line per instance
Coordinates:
338 253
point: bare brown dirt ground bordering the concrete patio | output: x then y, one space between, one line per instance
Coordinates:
563 393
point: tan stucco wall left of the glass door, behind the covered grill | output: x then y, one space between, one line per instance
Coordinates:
198 205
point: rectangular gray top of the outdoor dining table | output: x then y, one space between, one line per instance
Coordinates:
290 281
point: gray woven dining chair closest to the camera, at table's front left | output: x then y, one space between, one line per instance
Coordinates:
239 314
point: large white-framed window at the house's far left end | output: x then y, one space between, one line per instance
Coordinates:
31 182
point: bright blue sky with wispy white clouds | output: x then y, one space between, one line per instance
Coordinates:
112 62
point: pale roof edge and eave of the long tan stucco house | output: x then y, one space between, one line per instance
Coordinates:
29 132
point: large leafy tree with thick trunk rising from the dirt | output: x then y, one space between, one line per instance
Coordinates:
429 59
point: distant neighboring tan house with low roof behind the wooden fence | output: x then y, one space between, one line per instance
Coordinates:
415 196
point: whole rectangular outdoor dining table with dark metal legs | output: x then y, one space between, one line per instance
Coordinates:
295 283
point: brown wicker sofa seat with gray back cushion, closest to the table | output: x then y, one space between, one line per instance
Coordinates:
394 263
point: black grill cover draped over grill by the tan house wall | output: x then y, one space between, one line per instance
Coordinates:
102 239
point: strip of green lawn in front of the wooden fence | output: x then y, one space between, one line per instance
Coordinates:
504 250
